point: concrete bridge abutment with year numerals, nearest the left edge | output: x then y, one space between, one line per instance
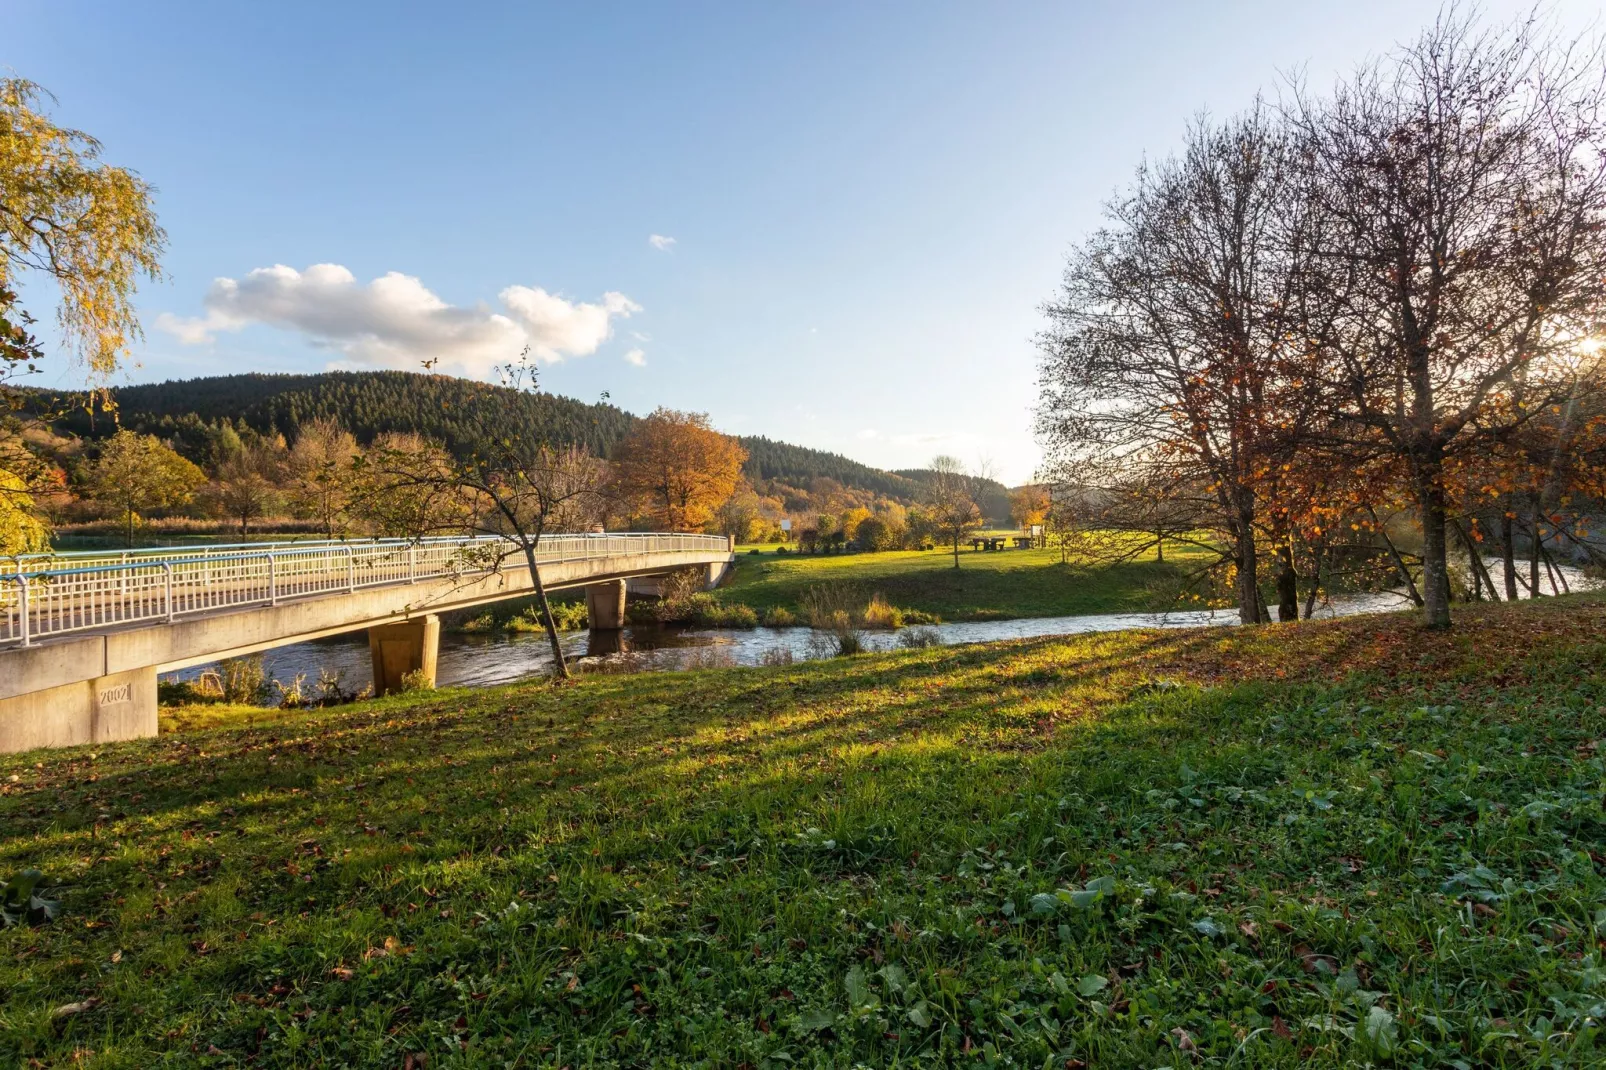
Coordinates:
105 709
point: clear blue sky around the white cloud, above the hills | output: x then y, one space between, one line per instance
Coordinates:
868 203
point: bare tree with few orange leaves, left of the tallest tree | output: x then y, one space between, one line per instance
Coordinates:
1165 362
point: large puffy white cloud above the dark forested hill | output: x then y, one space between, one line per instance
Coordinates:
396 322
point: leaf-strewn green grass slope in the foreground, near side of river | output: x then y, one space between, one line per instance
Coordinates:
1319 844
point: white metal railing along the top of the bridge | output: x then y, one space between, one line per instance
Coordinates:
78 592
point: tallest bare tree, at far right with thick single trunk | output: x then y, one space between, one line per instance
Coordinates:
1462 194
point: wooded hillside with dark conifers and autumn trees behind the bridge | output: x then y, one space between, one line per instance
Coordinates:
255 454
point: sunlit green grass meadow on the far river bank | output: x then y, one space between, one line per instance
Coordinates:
985 587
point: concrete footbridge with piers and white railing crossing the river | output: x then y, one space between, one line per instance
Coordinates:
83 637
